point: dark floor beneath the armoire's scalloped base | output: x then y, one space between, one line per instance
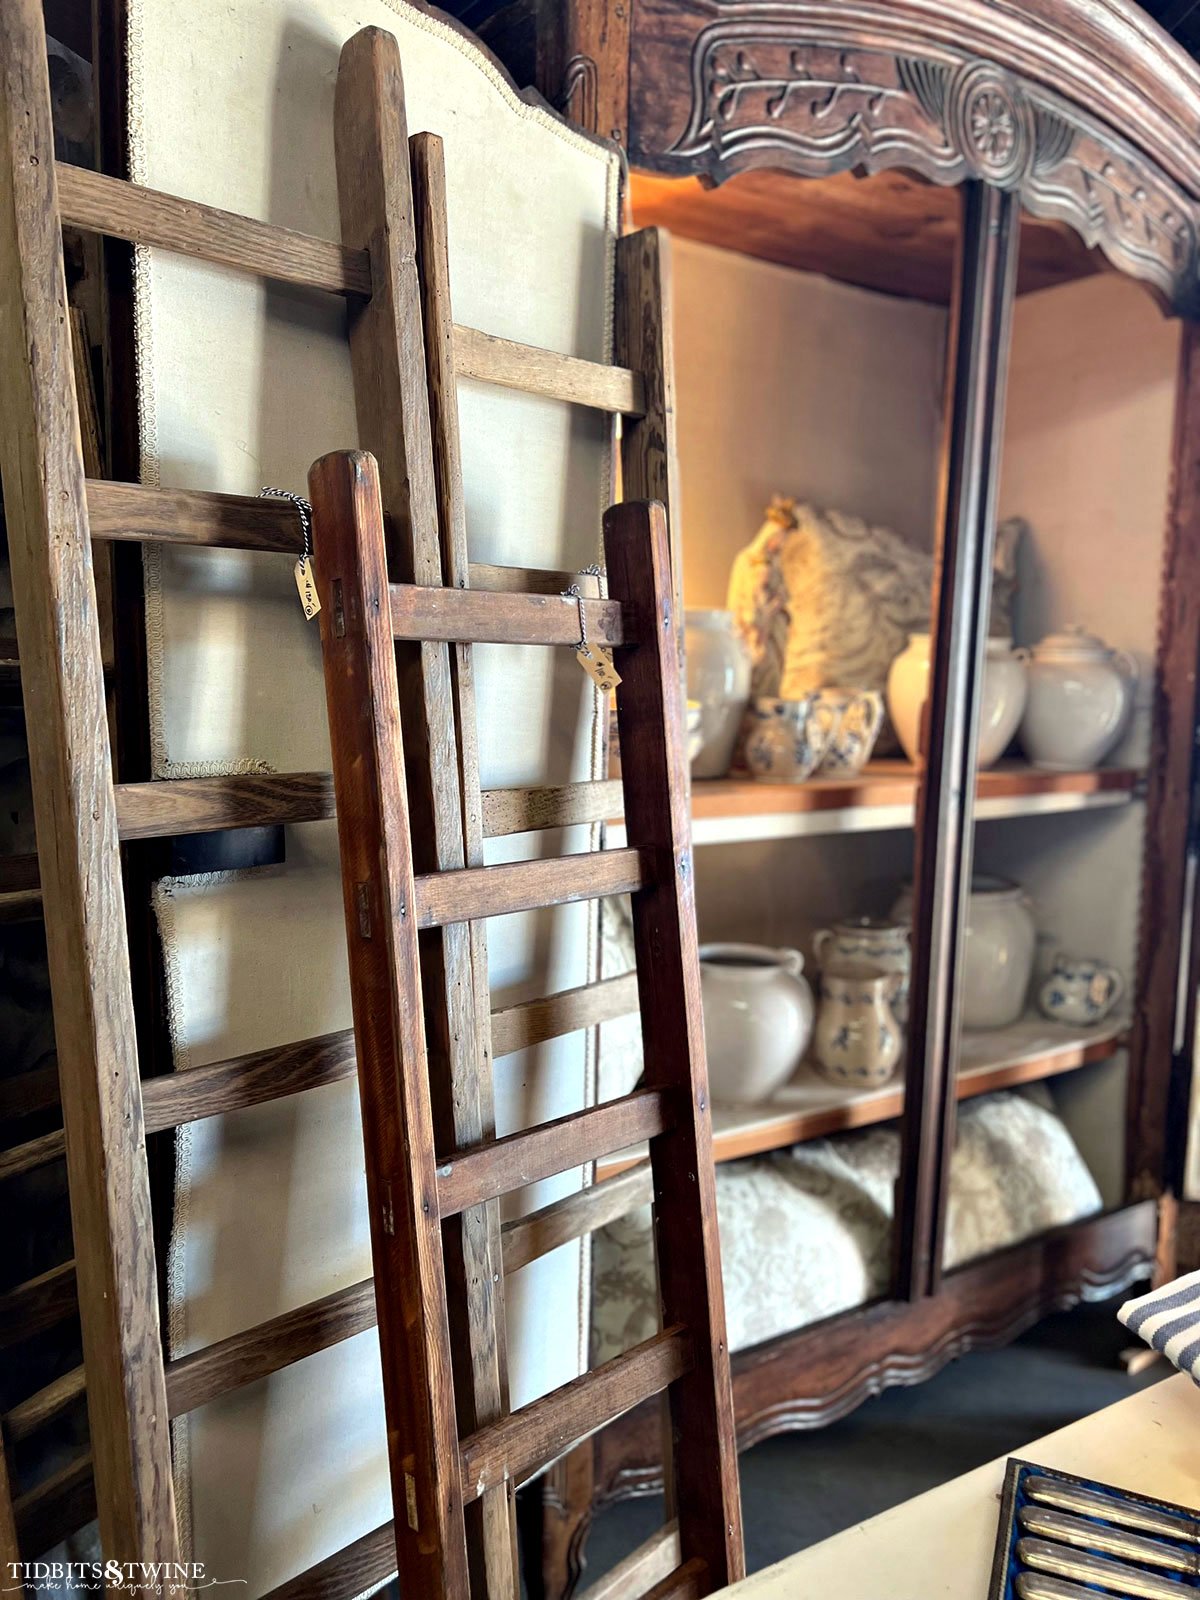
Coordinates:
804 1487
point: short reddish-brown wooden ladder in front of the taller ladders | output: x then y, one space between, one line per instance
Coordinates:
412 1190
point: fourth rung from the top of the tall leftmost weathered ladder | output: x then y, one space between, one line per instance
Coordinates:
247 1081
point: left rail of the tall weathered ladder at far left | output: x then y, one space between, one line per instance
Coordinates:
74 806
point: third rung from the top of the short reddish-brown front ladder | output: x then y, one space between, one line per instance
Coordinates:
519 1159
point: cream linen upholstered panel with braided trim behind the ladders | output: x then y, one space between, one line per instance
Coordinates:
244 385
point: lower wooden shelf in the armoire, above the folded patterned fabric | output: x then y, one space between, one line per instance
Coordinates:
810 1108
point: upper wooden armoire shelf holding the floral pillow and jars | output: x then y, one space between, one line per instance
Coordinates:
884 796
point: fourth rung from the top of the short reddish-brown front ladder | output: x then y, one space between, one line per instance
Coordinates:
521 1444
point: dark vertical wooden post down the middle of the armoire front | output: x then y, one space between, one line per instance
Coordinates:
977 374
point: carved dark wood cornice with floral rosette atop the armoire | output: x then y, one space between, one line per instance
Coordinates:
766 97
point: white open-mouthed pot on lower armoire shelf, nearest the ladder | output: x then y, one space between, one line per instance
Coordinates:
758 1020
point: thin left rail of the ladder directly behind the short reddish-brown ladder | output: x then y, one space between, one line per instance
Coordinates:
476 1281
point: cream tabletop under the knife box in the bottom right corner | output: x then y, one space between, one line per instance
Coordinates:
940 1545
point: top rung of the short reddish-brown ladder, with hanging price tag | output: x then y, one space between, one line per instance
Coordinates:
473 617
